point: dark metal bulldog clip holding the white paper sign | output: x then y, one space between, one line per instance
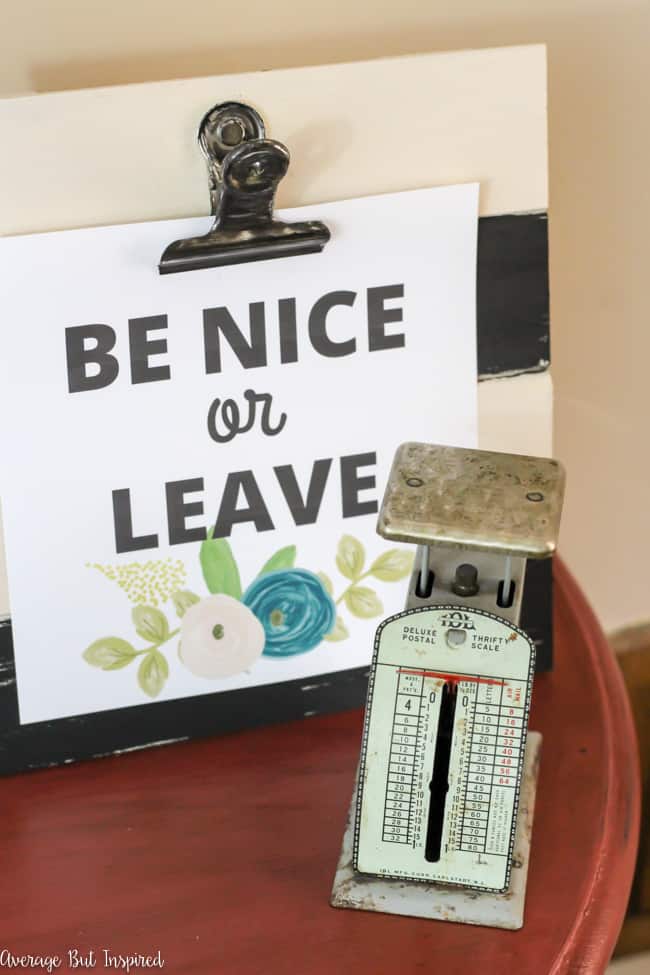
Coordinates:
244 170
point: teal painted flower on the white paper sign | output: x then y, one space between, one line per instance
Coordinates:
293 607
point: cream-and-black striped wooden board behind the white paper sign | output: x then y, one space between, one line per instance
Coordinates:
129 154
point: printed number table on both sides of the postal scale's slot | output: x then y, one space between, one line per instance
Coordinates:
486 759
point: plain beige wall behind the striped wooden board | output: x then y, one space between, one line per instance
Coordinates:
599 92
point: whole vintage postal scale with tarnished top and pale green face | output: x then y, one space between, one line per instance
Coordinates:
441 819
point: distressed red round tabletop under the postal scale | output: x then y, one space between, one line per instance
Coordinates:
220 854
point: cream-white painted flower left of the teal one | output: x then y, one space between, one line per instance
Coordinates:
220 637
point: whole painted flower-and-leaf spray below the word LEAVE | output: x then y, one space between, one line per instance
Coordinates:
284 611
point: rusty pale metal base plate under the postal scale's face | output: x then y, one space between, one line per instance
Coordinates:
439 902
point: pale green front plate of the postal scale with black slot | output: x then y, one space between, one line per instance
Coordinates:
443 748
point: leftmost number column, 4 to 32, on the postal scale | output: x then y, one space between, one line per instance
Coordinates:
400 785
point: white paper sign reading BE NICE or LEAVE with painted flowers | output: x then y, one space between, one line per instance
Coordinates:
260 404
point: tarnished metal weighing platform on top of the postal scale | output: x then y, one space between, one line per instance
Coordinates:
478 499
